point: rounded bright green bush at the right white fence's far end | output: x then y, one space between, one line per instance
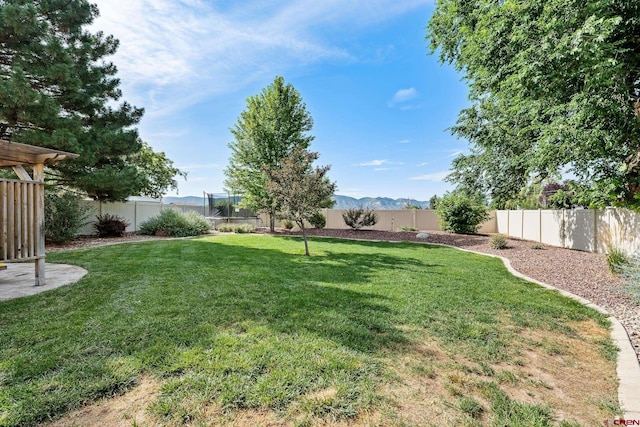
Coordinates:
462 214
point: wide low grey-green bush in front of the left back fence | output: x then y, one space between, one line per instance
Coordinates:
174 223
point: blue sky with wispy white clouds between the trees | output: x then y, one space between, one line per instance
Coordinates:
380 103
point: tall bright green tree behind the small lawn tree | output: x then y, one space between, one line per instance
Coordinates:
274 123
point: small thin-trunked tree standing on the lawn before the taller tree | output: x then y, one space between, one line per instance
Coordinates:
299 189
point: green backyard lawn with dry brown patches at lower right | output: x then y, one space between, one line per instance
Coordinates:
359 333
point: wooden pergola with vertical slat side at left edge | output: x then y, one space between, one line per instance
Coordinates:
22 203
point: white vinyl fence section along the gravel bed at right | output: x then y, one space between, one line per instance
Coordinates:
592 230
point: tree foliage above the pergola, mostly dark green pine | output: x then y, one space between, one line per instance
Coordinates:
58 91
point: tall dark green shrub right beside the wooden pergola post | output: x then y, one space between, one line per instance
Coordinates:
64 216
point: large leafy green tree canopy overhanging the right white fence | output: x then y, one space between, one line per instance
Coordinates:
555 88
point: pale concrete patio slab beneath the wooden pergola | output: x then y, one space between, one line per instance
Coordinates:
18 279
